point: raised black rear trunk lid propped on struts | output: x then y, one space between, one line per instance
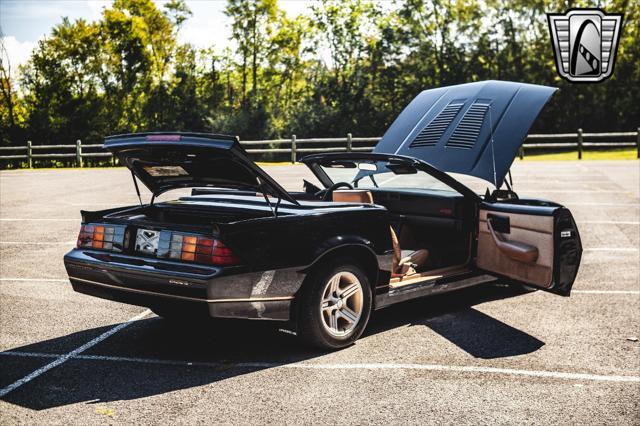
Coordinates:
180 160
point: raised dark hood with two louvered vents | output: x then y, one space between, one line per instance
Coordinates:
452 128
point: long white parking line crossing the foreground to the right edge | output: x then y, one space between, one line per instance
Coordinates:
347 366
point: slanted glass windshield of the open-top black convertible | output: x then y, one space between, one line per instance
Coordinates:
371 174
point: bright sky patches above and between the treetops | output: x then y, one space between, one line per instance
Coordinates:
24 22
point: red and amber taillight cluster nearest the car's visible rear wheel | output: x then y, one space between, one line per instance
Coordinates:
193 248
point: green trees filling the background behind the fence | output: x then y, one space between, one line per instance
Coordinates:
345 66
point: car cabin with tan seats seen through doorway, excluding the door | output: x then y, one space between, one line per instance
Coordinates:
430 229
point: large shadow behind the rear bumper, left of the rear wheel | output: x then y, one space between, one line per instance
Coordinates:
223 346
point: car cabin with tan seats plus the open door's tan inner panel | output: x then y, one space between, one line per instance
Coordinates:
432 232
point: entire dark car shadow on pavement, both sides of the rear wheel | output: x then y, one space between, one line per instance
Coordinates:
233 348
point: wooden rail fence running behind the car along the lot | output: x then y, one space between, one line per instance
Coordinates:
75 153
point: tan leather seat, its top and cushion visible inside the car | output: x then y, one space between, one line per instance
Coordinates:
400 266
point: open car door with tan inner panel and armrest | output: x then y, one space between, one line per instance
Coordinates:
537 244
